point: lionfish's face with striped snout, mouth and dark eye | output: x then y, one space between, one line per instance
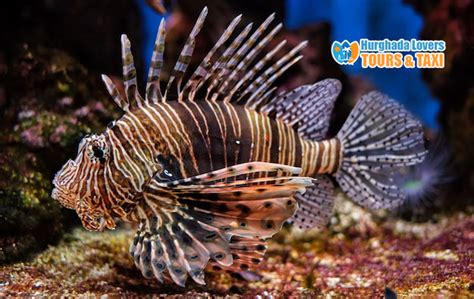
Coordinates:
77 184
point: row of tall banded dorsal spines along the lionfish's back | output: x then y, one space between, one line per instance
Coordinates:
229 77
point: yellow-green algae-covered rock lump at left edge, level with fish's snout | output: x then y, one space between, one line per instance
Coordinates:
28 218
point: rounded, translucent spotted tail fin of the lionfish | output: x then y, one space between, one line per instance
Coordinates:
378 138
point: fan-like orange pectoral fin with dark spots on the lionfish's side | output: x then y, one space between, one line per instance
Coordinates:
213 217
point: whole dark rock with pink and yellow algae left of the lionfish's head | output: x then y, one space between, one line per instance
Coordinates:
48 102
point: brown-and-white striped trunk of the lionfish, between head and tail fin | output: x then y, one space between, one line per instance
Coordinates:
200 137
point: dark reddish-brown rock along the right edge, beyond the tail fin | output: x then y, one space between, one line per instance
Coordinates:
452 21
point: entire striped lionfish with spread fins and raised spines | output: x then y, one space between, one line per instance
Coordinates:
212 166
